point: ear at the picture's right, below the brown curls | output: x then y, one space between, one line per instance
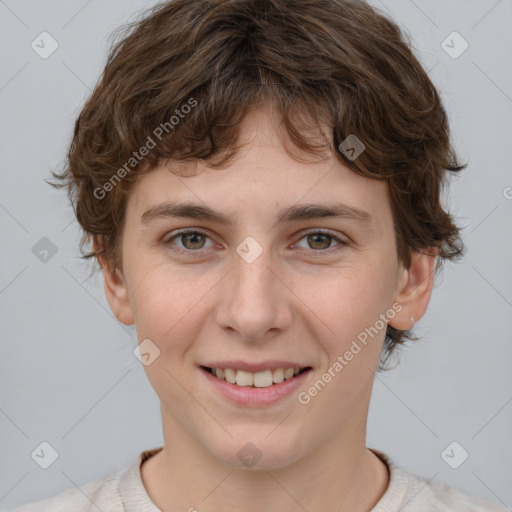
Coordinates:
414 289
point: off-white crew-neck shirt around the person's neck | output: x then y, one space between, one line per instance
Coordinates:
124 491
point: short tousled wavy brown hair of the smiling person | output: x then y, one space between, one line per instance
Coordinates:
339 63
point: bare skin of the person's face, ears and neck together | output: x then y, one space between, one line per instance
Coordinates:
304 298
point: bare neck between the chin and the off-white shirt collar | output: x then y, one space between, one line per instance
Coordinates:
342 474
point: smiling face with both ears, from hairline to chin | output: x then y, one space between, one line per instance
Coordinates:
268 286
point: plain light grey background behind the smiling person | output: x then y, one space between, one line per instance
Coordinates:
67 372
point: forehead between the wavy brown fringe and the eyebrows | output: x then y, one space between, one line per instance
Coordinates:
262 176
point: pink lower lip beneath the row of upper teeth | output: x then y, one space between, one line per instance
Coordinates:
252 396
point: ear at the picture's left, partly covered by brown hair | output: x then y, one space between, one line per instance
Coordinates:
115 287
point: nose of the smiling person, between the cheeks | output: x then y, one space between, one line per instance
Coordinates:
255 300
